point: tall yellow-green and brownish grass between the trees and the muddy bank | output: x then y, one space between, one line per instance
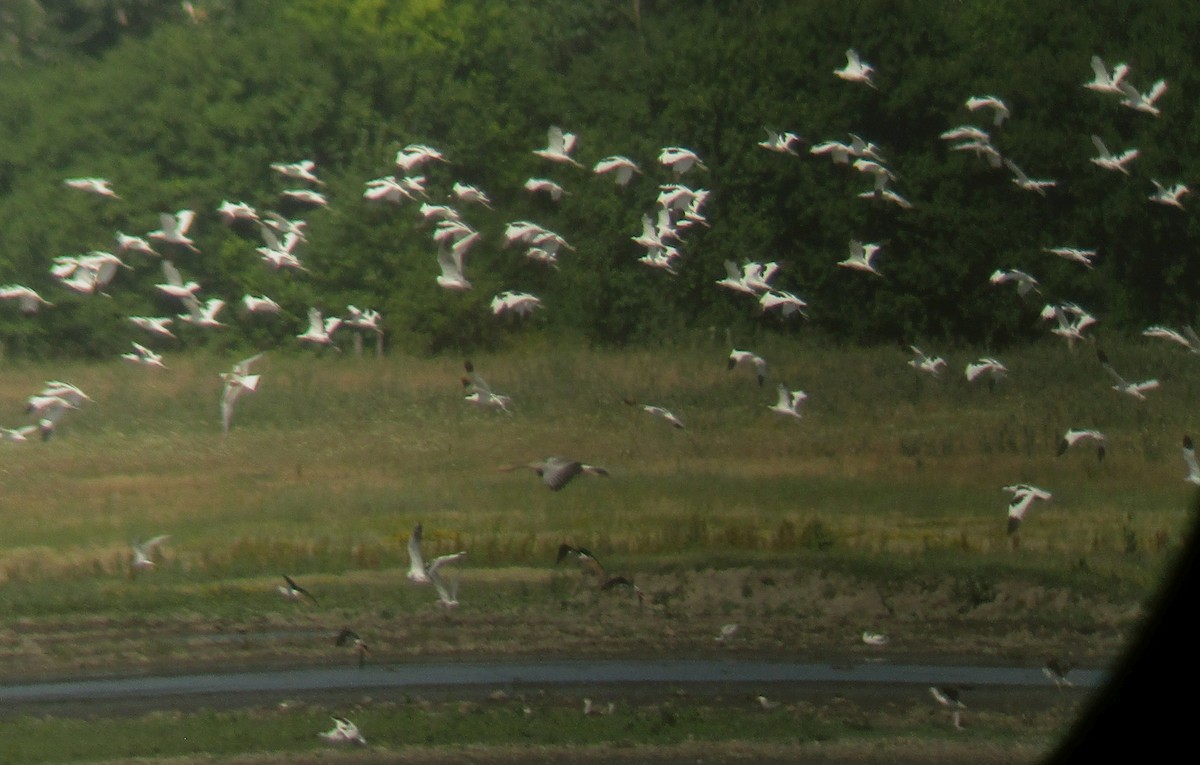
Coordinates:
335 459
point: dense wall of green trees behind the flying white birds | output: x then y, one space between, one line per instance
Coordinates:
184 113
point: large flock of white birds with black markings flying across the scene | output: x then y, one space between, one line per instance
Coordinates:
679 209
